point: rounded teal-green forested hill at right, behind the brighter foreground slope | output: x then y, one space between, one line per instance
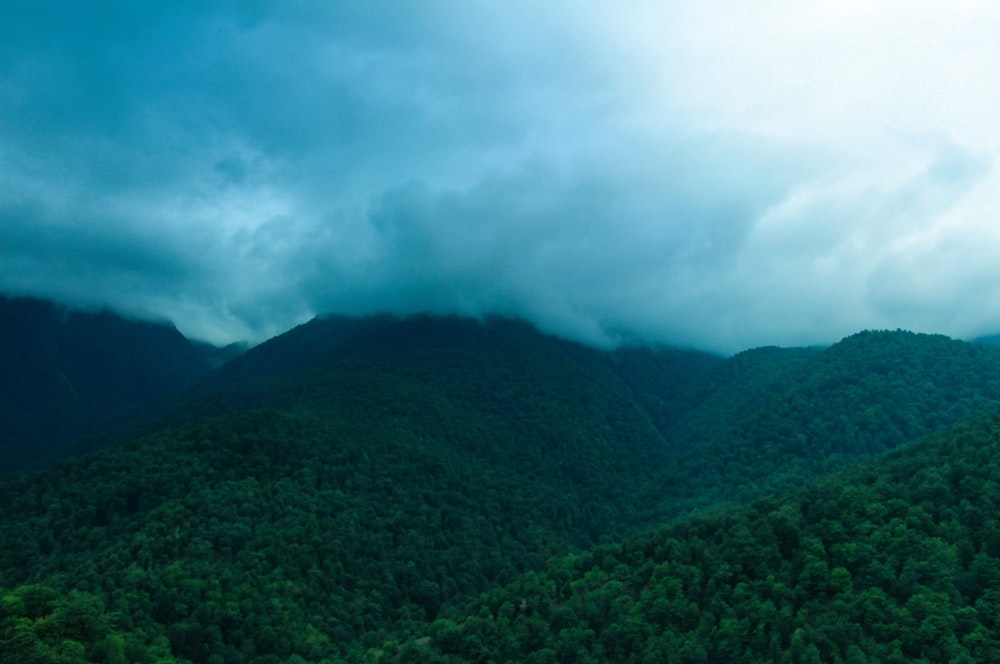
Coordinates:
771 419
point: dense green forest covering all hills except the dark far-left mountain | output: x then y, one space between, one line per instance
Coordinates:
442 489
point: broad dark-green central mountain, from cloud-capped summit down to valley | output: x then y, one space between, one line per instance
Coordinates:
419 464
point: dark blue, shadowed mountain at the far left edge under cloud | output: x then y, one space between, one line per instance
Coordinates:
67 374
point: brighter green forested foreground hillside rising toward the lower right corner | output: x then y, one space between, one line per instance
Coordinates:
896 561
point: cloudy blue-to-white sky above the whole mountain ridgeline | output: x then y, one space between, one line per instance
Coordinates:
709 173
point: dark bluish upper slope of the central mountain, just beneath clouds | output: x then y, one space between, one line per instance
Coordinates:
520 400
